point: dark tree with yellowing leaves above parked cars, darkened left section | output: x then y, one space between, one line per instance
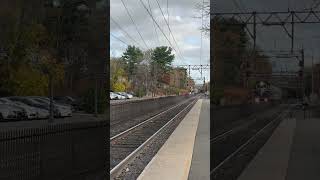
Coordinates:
26 52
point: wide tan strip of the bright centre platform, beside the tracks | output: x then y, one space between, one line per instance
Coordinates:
173 160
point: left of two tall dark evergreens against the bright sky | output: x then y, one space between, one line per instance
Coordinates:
131 57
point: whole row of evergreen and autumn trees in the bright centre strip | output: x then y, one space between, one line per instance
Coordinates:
143 72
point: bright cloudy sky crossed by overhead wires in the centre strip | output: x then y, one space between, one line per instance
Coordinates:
183 23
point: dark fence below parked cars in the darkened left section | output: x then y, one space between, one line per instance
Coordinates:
59 151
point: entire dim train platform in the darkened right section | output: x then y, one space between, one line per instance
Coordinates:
291 153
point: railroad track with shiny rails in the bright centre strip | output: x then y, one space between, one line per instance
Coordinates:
125 146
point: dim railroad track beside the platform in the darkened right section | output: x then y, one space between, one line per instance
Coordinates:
253 131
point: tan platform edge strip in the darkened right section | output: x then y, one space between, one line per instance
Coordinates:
271 161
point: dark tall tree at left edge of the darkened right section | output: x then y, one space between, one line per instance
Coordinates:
230 44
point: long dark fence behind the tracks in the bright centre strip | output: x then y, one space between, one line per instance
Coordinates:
133 109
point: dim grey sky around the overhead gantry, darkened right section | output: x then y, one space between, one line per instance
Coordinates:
275 38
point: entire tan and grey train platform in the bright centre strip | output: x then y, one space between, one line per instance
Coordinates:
182 156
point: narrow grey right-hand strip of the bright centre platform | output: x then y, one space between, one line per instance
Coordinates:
200 164
